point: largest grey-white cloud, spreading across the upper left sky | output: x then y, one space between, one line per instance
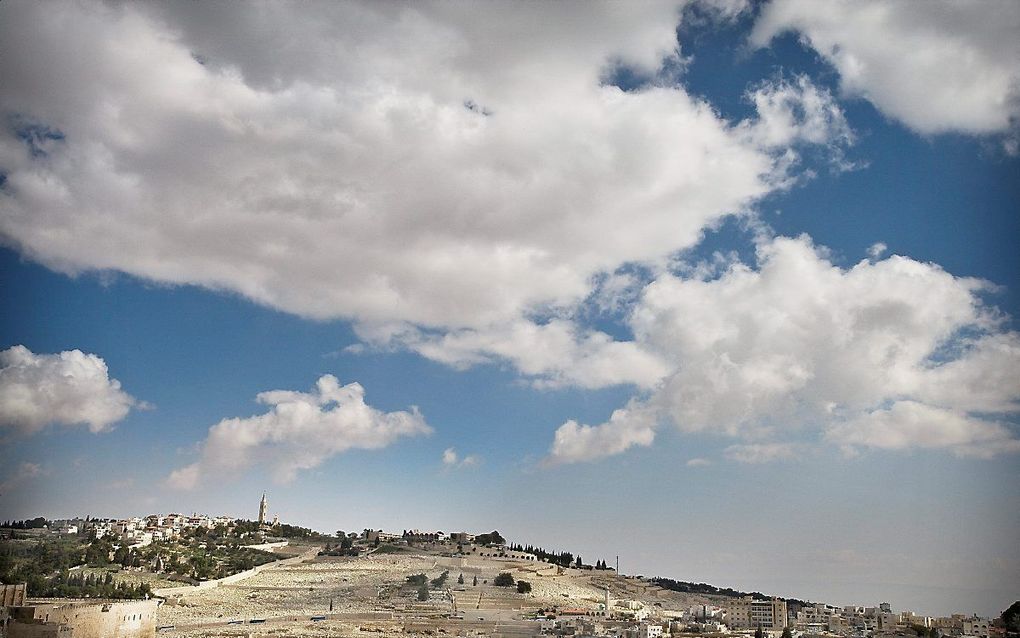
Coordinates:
359 176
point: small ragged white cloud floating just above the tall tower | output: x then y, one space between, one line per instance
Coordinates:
300 431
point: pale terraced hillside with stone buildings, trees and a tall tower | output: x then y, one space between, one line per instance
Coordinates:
412 583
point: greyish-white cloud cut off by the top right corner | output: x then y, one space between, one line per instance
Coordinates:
954 66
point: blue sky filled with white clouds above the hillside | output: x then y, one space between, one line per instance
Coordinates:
729 290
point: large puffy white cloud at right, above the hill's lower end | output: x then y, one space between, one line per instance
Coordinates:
799 347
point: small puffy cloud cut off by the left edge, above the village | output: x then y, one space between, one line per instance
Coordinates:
69 388
